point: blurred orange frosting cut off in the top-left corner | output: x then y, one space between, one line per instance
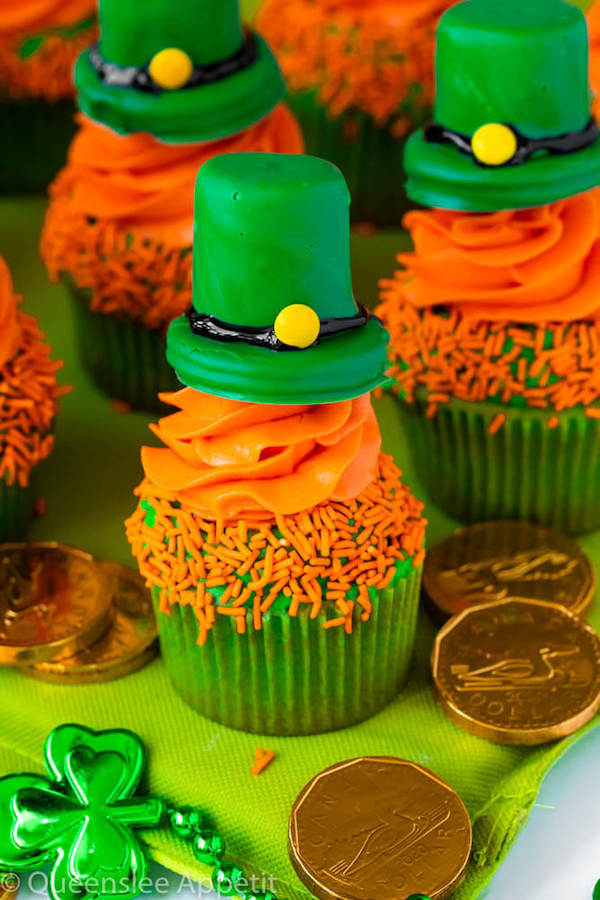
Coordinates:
21 17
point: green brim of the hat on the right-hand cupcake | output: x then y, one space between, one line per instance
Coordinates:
441 176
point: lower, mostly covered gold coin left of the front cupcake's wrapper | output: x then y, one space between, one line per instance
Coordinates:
129 643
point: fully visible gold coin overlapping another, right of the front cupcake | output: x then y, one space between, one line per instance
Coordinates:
518 671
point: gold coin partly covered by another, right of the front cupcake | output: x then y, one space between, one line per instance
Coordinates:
496 560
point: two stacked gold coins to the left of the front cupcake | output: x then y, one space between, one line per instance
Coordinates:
69 618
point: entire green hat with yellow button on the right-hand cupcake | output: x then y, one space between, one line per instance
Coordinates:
512 122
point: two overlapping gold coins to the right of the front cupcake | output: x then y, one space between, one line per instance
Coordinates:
514 664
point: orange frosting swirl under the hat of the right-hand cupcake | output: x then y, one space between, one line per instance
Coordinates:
533 265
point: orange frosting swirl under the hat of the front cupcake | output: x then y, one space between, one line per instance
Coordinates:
226 458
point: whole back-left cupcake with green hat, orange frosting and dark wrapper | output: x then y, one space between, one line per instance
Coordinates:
159 96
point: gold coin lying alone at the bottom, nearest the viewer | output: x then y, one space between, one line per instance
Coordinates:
378 827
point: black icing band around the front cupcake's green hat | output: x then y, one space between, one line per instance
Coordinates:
205 325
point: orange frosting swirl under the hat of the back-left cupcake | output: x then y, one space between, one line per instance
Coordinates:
138 182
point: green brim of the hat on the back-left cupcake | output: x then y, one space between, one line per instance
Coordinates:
190 115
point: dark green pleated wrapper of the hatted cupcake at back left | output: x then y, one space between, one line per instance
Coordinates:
122 357
